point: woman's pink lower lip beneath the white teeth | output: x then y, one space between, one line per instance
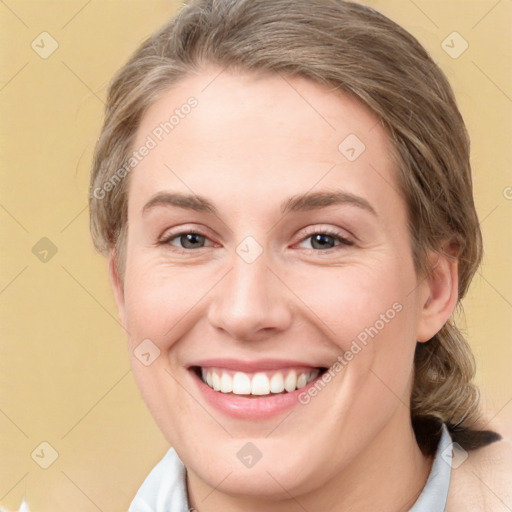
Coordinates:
253 407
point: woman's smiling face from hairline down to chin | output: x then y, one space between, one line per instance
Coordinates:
297 260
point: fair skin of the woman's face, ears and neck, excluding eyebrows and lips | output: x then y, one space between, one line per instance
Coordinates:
250 144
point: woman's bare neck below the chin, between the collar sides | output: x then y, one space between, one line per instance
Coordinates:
388 476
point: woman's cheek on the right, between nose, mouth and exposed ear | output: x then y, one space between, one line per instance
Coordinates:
369 313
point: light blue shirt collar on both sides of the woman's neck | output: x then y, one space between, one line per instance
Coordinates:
165 488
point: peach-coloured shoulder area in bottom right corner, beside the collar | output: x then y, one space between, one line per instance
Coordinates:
481 480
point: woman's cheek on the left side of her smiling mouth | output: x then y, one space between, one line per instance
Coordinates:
162 304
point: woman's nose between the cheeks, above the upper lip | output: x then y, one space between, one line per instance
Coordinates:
250 302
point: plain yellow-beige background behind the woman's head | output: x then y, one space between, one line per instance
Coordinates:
64 371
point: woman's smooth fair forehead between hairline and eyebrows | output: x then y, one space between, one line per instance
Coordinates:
259 132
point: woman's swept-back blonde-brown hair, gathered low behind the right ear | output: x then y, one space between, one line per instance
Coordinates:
357 50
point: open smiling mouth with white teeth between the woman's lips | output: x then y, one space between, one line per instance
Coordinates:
262 383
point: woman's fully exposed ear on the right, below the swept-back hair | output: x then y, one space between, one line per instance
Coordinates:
439 294
